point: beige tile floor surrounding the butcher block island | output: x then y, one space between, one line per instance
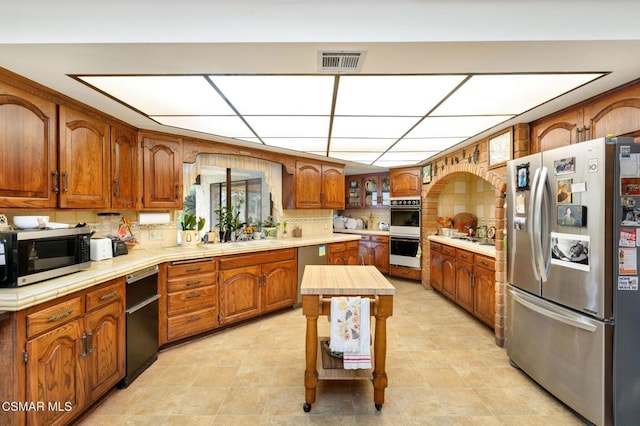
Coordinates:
443 368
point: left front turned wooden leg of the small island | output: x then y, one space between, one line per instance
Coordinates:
311 350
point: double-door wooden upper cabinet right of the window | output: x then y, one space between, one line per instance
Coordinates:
319 186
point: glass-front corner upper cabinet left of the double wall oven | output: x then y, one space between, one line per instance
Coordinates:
365 191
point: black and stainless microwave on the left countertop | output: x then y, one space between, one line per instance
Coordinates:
33 255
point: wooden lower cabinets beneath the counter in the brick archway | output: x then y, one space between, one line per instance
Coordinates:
466 278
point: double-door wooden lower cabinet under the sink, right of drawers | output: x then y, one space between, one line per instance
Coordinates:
254 284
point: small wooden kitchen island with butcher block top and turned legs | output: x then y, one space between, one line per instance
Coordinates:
319 284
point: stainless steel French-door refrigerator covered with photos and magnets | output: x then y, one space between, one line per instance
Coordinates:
573 303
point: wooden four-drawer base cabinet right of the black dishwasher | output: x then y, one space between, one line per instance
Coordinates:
191 299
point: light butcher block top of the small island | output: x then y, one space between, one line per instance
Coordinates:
345 281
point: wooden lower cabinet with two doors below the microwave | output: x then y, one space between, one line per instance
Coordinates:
74 352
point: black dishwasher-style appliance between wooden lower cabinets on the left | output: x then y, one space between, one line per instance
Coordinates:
142 322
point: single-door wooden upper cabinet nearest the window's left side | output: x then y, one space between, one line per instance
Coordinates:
162 172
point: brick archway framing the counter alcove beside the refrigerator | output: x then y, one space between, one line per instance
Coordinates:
430 195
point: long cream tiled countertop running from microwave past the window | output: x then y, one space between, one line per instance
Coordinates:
18 298
